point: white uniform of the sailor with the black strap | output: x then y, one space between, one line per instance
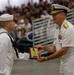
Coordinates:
6 53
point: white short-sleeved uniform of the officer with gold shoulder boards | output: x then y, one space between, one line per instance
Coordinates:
66 40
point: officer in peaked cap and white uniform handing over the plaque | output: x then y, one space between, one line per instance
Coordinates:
63 45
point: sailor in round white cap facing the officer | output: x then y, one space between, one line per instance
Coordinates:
6 46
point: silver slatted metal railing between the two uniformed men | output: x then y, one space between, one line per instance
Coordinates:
43 31
